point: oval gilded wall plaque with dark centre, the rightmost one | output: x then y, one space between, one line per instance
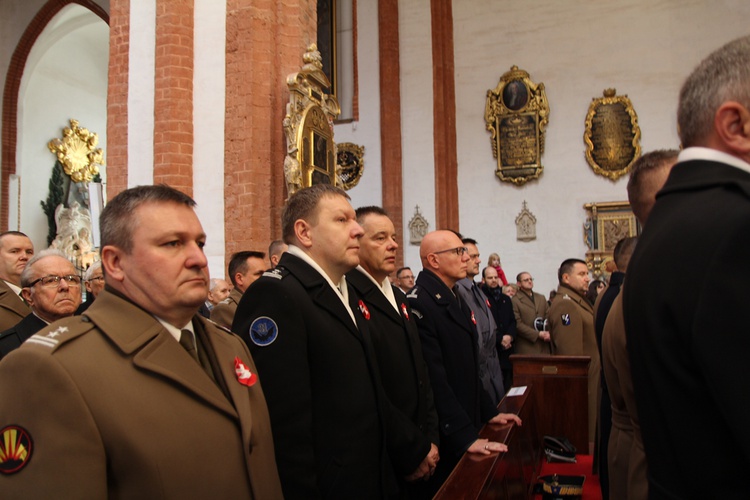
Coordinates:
612 135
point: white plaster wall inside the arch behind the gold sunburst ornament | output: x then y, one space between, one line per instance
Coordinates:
65 77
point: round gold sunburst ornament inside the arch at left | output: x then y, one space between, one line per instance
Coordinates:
77 152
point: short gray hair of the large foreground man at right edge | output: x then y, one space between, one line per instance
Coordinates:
722 76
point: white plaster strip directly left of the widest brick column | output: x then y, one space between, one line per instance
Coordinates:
209 84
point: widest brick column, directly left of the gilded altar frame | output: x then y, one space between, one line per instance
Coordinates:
265 42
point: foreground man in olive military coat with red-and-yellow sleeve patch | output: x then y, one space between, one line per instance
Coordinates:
140 397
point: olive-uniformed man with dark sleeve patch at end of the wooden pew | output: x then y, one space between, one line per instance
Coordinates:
571 318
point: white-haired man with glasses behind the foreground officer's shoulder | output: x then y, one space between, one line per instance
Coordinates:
52 289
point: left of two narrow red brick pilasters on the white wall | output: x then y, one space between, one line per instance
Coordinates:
390 114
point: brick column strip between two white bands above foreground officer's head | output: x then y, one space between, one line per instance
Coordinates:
173 96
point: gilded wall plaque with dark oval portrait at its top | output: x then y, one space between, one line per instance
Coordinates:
516 114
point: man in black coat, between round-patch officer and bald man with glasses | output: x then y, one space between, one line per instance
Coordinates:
395 337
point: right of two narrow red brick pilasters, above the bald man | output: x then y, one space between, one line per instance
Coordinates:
446 158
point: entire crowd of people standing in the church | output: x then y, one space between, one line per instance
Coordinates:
332 373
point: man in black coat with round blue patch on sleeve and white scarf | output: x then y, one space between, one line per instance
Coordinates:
335 435
